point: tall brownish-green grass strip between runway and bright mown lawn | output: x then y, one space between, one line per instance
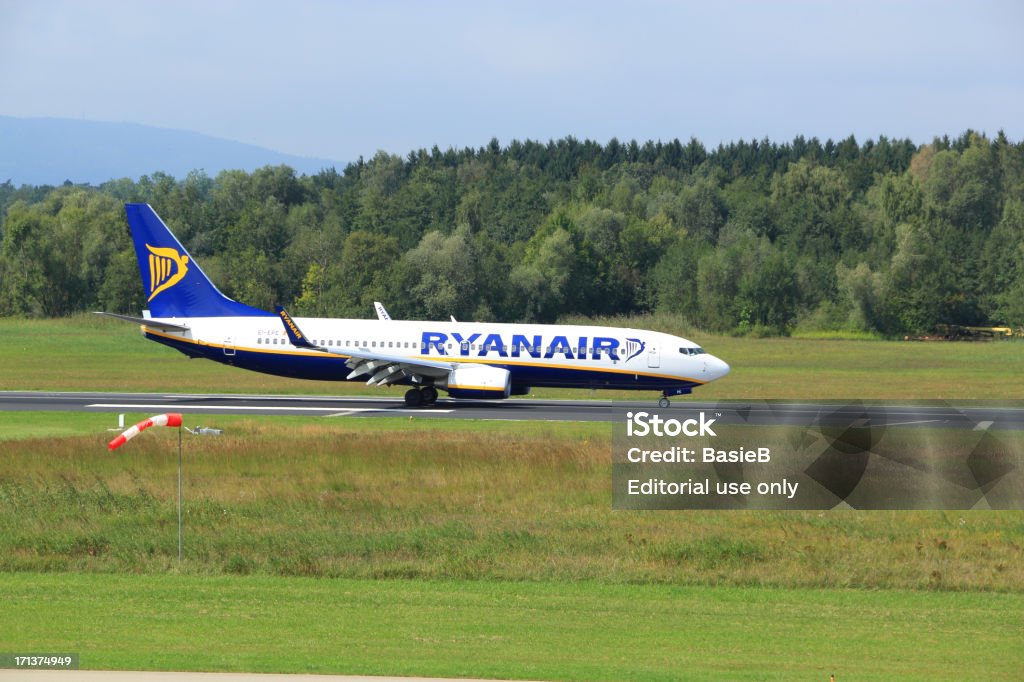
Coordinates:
425 499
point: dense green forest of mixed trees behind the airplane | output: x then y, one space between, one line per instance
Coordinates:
884 238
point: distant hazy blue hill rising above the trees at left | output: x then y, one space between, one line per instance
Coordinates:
53 151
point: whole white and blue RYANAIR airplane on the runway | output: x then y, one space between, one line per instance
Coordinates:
471 361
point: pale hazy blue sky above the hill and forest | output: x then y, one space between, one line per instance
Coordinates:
342 79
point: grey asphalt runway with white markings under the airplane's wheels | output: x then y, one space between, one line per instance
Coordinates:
924 414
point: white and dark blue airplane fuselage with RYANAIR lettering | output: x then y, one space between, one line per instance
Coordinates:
567 356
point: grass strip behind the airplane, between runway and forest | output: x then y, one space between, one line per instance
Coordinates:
96 354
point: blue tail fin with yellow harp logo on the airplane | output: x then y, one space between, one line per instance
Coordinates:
176 285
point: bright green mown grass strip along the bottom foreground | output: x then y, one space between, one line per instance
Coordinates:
548 630
